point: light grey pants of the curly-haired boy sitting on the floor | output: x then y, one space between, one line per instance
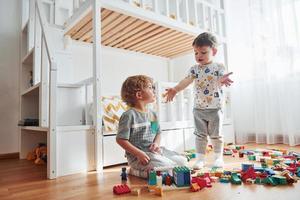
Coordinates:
166 158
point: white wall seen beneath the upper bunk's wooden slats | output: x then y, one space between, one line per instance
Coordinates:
118 64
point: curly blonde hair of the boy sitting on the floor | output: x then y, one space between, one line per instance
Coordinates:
132 85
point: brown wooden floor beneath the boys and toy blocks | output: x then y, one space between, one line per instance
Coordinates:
22 180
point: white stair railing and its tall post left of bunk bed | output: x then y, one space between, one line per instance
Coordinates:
48 83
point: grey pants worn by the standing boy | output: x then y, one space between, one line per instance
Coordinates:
208 123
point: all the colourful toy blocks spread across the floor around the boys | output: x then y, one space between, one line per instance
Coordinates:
266 167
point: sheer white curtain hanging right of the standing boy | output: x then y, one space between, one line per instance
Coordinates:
266 92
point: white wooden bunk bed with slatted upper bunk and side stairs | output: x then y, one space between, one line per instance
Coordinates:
153 27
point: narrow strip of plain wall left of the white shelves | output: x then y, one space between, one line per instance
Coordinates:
9 75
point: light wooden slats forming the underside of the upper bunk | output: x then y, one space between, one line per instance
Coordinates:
127 32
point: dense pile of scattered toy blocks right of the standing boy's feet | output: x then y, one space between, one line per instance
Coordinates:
277 167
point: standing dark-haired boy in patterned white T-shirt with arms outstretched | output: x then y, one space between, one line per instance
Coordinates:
208 77
